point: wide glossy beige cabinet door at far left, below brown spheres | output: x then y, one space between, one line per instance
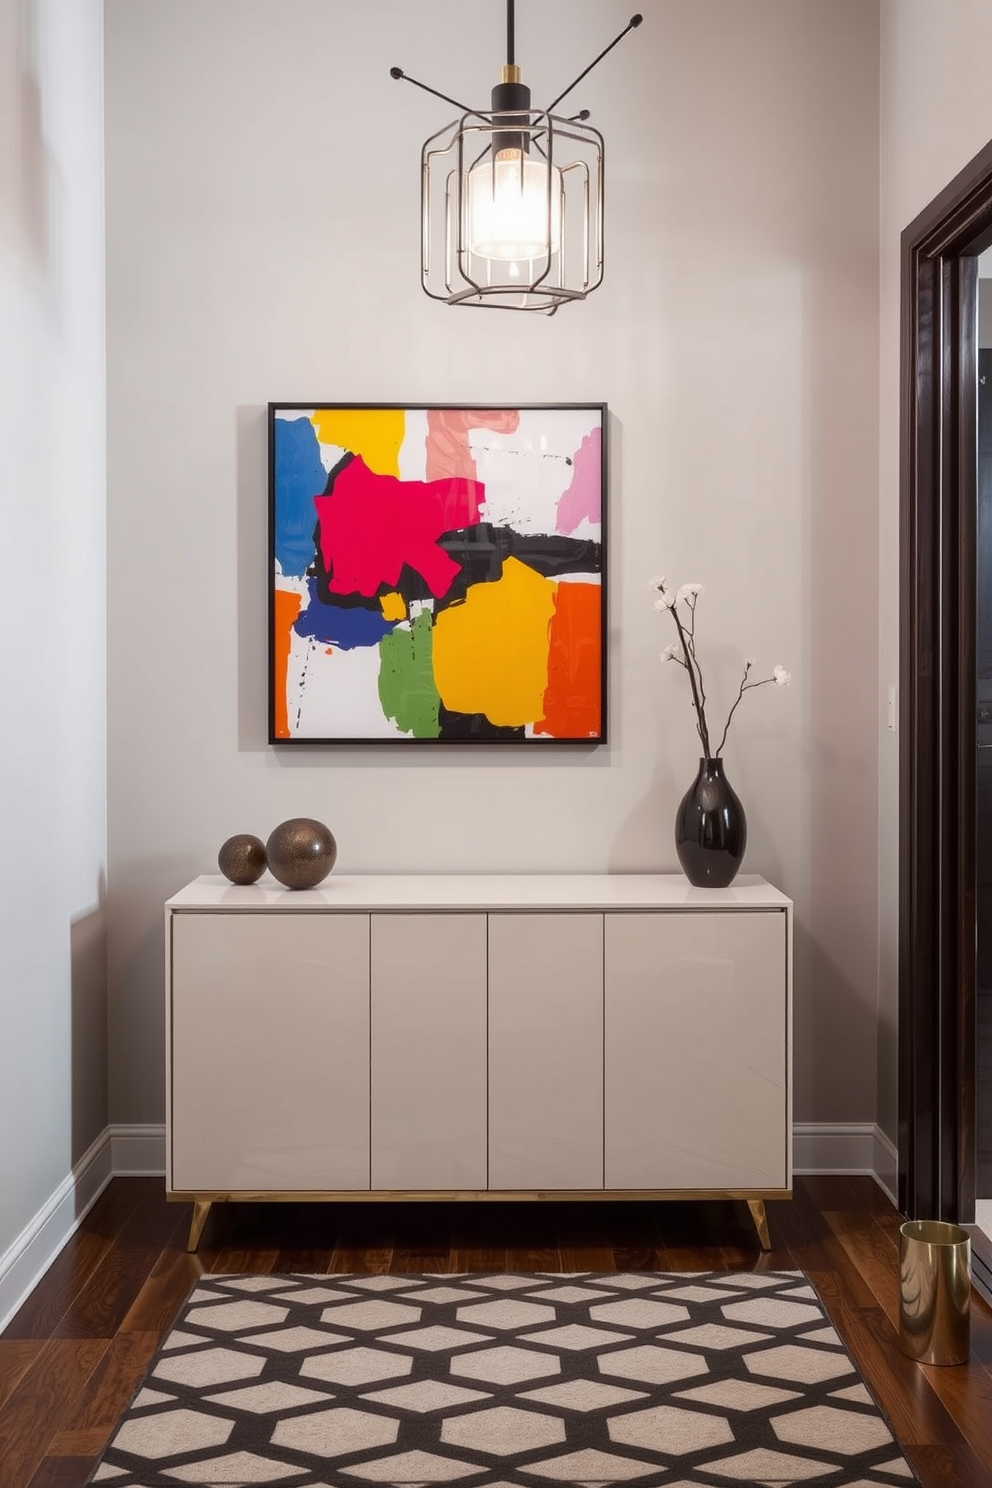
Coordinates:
270 1053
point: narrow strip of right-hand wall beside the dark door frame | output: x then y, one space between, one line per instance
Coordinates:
936 115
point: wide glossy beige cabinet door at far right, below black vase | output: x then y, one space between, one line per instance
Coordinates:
697 1093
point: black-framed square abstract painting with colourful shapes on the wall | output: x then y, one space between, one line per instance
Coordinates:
438 574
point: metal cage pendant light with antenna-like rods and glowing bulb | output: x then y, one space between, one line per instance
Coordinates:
512 199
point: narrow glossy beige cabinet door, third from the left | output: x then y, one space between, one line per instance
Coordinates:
547 1051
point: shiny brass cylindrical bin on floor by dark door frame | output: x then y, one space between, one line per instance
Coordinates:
935 1292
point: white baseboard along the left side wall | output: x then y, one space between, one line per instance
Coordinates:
36 1248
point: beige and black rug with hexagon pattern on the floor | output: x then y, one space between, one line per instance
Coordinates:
503 1382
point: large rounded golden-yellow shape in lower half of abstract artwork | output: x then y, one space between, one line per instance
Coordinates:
492 652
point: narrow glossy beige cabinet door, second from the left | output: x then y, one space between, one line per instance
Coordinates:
429 1051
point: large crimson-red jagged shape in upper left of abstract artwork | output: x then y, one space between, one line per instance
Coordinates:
373 525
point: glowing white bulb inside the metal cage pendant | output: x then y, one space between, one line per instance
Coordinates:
509 209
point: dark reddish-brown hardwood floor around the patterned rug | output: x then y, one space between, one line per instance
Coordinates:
77 1350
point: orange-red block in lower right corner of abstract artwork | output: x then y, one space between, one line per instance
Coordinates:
573 702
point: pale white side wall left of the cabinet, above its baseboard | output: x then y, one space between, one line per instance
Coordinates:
53 629
